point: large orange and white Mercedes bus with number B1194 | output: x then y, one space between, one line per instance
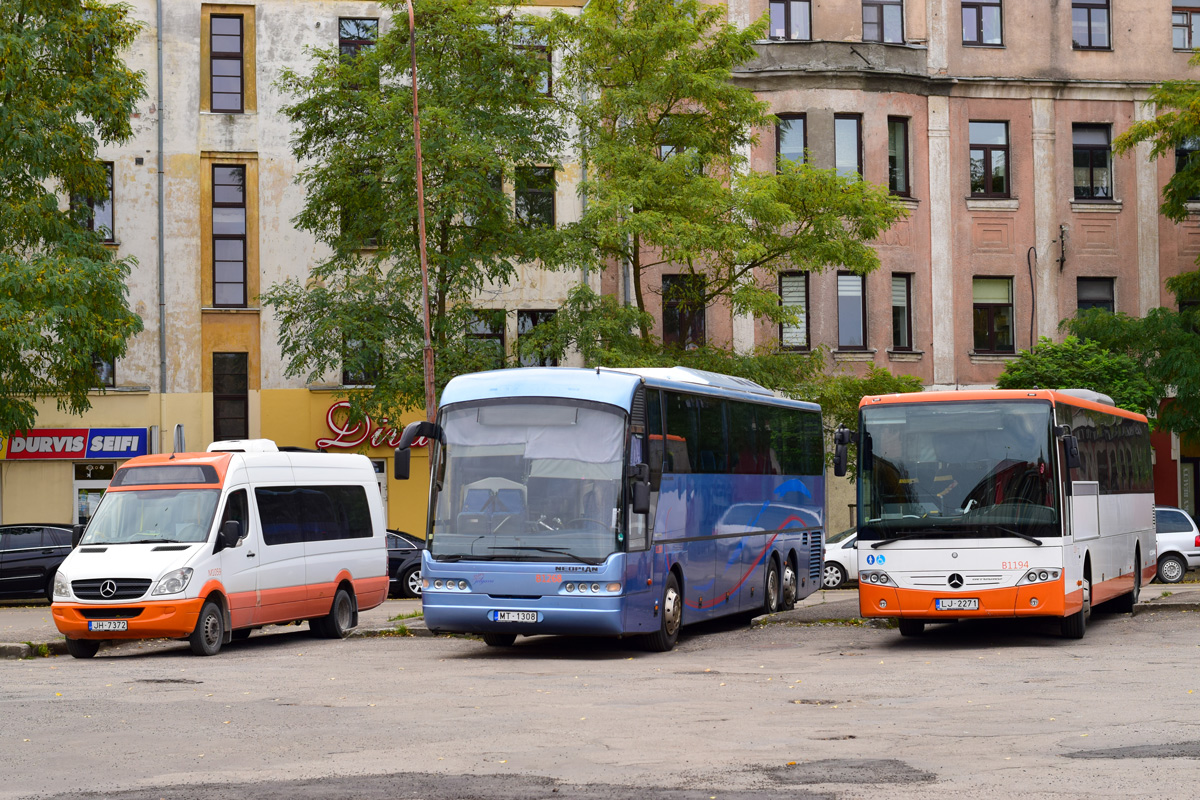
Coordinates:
1001 504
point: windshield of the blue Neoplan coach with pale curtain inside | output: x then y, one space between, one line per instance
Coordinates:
529 482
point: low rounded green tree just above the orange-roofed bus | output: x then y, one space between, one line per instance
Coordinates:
1082 364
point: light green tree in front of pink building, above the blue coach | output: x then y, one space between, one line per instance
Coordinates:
664 136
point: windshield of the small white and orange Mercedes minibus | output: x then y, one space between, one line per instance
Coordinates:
153 516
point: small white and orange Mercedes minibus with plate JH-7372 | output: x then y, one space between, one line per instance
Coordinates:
211 546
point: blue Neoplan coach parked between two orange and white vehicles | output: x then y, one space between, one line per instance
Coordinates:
616 503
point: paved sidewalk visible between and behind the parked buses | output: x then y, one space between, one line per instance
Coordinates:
29 630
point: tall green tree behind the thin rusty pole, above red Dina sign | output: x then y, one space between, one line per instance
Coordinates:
487 123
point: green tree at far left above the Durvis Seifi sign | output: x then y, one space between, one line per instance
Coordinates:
64 89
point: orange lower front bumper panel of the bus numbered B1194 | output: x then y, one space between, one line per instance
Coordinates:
1049 599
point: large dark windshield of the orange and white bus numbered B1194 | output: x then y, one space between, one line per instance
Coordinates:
976 470
